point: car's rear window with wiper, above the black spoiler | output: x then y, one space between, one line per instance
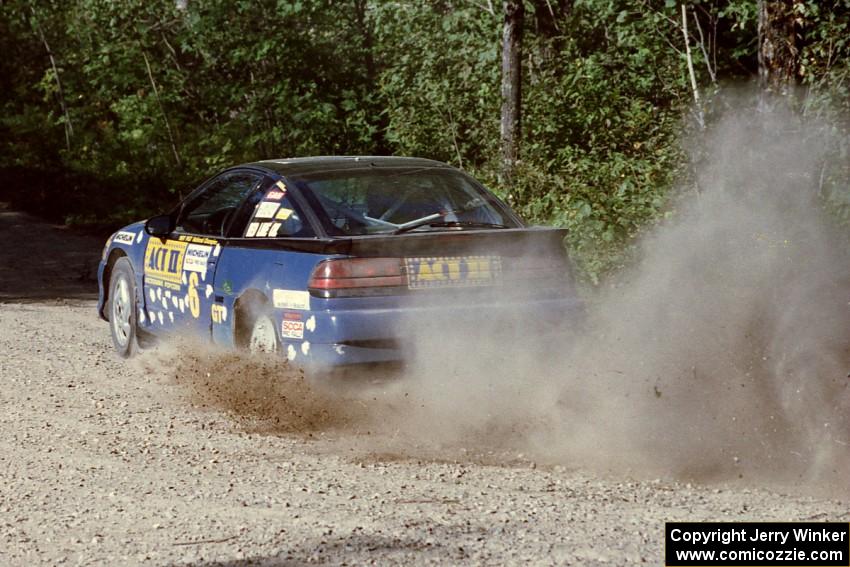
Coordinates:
392 200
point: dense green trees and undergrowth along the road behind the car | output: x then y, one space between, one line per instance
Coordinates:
110 109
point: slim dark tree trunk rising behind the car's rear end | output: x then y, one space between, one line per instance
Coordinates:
511 88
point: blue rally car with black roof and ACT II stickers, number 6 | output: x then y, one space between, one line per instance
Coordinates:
323 260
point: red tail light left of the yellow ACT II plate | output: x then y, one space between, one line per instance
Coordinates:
358 276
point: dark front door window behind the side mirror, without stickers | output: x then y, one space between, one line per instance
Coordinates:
211 212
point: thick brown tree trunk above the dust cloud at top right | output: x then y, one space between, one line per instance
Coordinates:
779 54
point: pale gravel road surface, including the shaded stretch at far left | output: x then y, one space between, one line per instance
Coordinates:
109 462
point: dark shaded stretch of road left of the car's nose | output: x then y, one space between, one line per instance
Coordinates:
41 261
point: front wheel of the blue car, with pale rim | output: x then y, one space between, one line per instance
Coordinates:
122 309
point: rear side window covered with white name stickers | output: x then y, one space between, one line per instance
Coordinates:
276 215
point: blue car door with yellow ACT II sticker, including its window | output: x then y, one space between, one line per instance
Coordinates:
179 270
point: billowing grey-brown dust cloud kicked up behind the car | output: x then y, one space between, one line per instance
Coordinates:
722 354
